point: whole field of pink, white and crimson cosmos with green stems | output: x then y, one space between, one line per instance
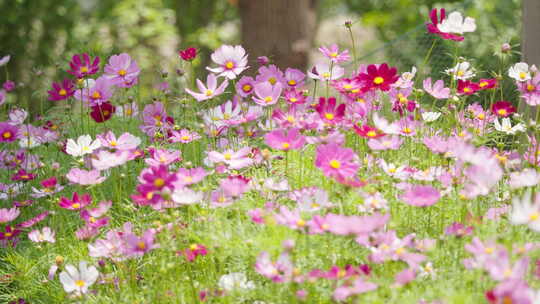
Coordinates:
347 183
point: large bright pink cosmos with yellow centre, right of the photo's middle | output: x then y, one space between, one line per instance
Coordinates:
336 161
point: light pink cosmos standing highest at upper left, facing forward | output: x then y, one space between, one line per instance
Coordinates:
122 71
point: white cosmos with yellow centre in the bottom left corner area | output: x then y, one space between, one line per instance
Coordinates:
78 280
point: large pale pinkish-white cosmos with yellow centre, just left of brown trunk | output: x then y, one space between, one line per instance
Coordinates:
231 61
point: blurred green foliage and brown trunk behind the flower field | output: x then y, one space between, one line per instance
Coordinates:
41 36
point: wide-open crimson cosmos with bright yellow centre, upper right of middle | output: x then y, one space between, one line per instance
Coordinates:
378 77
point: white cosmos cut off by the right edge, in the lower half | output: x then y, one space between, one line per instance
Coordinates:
526 212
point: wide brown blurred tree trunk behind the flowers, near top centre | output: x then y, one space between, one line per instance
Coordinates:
283 30
